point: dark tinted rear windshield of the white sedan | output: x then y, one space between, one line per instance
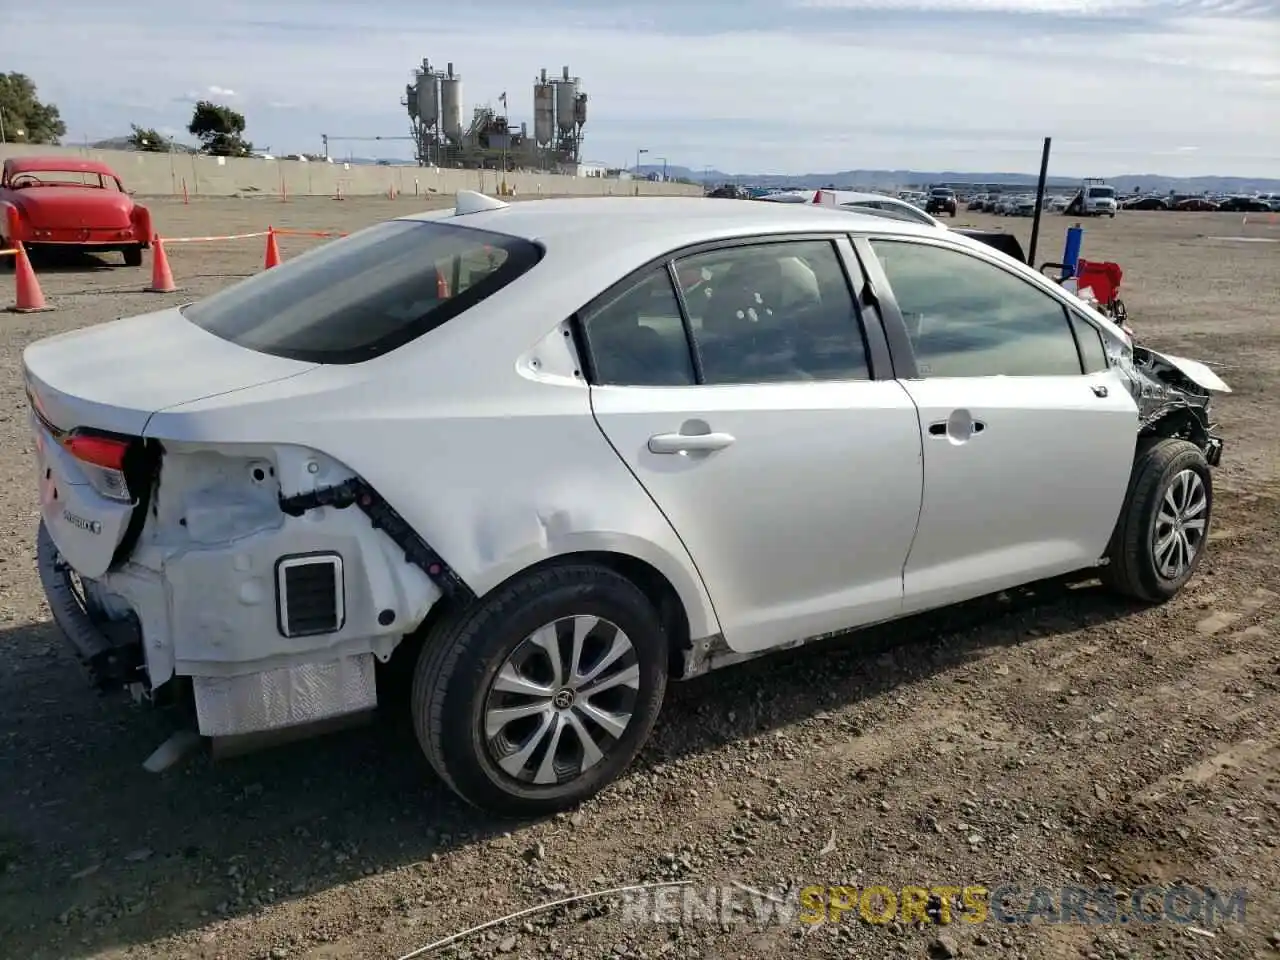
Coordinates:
365 295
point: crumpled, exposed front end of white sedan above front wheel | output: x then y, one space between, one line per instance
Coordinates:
1174 397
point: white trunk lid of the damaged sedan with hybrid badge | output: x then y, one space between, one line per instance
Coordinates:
108 382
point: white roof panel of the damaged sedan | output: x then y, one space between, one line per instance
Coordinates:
664 223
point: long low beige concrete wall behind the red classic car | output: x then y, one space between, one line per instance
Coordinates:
166 175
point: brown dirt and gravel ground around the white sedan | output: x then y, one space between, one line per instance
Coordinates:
1054 738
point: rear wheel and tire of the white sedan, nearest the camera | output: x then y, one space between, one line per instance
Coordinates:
543 693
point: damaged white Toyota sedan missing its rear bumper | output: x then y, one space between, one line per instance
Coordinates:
554 455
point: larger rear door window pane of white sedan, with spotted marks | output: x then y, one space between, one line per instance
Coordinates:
774 313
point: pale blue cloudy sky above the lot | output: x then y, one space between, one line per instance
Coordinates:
1178 88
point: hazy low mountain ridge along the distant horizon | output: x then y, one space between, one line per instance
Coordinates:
888 180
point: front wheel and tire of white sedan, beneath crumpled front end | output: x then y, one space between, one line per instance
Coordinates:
1164 528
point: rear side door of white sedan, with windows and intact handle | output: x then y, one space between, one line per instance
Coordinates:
755 404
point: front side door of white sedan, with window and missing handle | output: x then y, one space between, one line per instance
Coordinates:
1028 436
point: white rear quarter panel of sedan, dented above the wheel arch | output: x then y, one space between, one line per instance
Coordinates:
479 435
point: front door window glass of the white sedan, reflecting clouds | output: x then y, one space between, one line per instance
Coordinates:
970 318
